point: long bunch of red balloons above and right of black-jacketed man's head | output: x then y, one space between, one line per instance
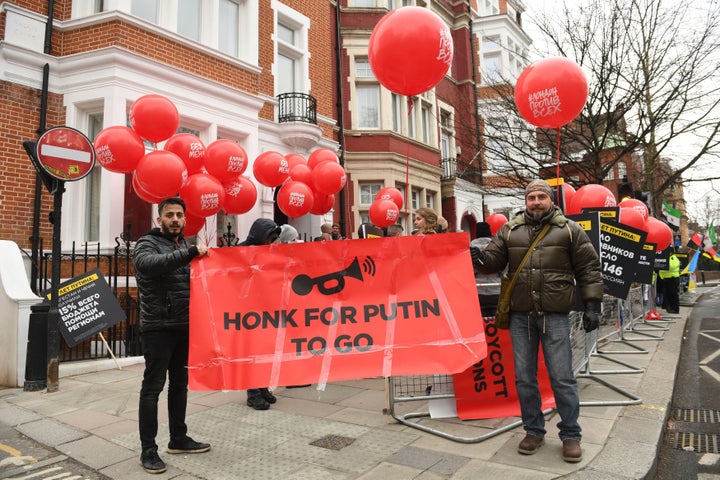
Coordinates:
209 178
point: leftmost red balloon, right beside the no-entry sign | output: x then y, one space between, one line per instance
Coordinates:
118 149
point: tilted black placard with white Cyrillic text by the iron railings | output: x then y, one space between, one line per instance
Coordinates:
87 306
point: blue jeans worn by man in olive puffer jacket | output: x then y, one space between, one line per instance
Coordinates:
552 331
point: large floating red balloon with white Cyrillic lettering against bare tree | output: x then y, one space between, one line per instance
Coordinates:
551 92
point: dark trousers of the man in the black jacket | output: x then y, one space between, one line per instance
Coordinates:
166 353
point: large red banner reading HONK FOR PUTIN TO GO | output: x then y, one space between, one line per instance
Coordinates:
326 311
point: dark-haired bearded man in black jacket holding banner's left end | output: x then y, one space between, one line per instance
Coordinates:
162 270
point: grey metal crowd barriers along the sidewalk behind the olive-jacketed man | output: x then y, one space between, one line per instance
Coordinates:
620 320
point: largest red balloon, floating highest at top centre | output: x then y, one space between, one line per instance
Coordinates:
410 50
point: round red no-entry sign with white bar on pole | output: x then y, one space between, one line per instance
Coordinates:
65 153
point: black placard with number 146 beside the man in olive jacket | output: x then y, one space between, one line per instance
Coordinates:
620 249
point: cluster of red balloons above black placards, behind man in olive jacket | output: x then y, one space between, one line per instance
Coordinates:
633 212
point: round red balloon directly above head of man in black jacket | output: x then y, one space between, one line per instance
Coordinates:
161 173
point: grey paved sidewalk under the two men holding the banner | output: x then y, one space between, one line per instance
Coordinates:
342 433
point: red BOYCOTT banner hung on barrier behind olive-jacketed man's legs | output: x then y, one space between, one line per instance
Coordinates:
487 389
